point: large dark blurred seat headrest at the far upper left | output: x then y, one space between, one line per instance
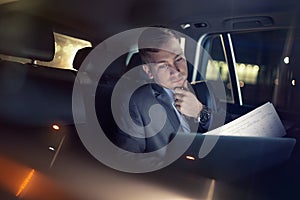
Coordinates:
24 36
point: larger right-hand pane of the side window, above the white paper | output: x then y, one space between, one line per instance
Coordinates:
258 58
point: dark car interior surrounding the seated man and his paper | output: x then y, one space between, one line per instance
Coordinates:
47 46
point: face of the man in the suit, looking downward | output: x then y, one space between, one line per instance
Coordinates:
168 68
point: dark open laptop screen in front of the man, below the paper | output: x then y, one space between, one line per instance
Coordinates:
231 157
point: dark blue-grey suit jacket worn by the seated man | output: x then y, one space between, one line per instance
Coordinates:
140 104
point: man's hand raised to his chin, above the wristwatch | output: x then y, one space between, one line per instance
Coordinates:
187 103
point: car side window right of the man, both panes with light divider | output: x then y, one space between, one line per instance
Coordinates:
258 58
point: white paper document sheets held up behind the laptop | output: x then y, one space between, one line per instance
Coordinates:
261 122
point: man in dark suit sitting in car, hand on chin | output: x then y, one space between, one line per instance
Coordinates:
166 105
